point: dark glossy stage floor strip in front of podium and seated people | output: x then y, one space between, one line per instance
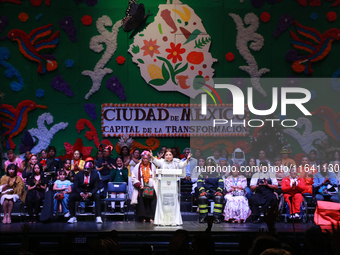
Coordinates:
131 226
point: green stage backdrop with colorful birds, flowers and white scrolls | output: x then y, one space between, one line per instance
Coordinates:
61 60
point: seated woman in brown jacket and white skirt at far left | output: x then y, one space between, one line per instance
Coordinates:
12 188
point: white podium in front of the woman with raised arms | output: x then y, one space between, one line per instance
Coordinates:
168 200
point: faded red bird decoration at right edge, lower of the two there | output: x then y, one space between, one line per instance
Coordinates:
331 119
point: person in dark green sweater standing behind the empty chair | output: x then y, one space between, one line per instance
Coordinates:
119 173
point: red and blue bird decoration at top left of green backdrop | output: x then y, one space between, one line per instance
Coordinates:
31 45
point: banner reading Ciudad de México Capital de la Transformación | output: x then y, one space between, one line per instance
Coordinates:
171 120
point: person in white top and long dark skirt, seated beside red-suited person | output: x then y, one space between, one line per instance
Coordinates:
263 184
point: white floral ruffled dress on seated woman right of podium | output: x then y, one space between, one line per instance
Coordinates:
237 207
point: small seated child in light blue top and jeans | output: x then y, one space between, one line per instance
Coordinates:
63 188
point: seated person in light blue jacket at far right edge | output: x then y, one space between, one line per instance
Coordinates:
325 184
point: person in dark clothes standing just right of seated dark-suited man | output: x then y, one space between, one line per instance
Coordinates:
105 165
